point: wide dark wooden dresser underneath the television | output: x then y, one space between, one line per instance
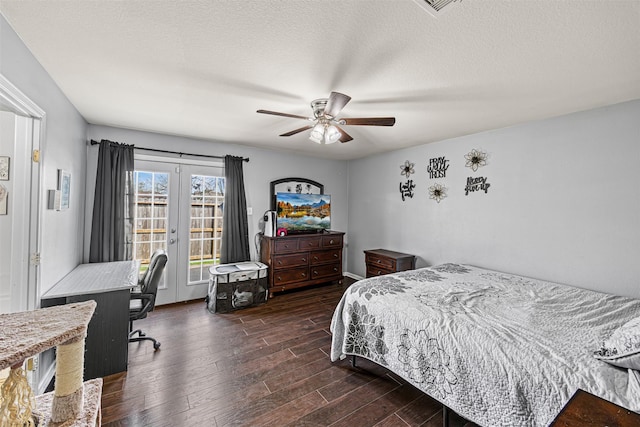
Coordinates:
302 259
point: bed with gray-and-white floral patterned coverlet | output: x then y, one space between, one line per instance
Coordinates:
496 348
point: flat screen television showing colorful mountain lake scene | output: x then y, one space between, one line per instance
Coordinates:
303 213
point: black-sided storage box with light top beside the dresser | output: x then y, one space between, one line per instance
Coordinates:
236 286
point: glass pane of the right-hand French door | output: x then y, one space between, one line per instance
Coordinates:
207 197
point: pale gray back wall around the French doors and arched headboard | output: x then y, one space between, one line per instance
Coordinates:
263 167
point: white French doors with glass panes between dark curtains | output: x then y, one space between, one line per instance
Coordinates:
178 207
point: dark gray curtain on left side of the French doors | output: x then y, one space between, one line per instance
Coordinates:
111 227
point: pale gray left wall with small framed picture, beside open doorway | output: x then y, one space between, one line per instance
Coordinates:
62 148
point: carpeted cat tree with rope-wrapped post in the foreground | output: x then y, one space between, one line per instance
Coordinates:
25 334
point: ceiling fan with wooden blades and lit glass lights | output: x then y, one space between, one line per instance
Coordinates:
326 125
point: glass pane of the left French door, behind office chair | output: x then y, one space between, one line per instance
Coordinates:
150 214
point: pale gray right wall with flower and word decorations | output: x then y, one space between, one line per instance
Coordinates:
563 205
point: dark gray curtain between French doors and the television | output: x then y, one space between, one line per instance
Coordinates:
235 226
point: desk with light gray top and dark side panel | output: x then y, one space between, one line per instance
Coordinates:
109 285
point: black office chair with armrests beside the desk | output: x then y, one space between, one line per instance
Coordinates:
143 300
